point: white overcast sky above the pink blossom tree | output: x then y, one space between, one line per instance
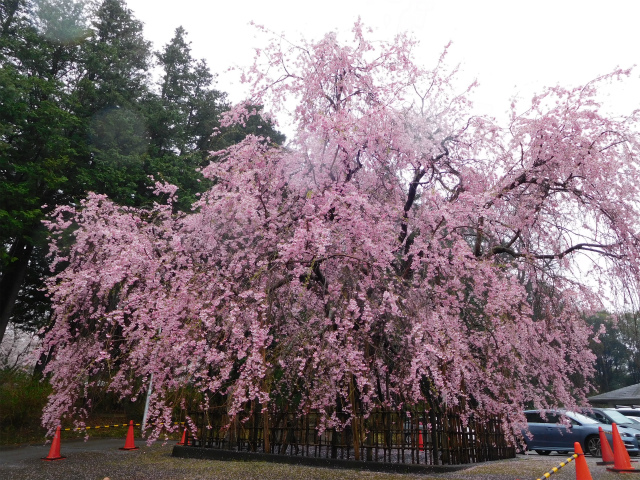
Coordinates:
512 47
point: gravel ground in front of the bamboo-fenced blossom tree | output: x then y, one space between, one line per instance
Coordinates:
100 459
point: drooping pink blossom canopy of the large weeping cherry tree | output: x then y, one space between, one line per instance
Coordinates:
399 251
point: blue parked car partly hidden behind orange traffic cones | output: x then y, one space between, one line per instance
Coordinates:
559 430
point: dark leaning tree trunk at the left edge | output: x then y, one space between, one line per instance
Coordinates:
11 280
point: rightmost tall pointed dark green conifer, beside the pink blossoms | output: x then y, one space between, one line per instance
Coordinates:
184 120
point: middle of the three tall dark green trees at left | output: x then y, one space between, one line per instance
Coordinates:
115 81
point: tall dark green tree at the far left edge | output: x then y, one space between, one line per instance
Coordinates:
40 47
